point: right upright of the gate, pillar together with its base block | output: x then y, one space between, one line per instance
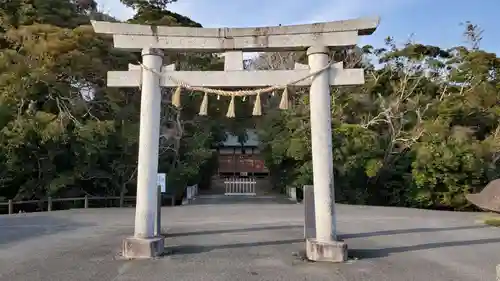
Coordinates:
324 246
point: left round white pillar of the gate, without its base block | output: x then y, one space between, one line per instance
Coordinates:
149 135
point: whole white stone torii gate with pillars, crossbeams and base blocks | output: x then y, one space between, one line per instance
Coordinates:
320 74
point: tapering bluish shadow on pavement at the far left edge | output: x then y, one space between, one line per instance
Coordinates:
14 228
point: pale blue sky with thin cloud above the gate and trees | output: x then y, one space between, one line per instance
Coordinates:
430 21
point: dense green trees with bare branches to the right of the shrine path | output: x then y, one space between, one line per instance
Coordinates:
422 132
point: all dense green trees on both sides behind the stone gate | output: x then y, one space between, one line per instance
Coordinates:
423 131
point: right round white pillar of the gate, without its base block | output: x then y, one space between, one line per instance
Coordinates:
321 140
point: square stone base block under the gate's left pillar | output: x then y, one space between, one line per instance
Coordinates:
143 248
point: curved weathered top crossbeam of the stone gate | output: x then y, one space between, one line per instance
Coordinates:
253 39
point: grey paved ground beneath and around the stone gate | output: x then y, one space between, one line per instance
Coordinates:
256 240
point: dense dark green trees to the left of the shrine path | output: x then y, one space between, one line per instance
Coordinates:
62 131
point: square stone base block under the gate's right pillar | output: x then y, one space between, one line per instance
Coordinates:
332 251
